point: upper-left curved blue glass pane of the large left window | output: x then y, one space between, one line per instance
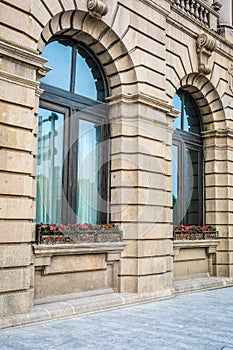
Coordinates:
59 57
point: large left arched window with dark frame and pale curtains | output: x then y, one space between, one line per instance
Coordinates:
72 137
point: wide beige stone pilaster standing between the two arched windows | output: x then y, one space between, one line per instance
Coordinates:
141 190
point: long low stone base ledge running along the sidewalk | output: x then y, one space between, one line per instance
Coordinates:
91 302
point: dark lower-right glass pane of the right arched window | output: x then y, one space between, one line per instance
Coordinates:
192 188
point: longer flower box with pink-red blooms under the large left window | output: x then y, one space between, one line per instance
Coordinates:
78 233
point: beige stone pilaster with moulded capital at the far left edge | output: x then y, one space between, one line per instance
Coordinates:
19 92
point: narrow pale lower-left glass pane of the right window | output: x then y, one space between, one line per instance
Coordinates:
175 184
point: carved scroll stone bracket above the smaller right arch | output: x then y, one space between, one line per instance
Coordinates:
205 47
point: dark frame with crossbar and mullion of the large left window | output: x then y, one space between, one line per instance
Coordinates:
68 103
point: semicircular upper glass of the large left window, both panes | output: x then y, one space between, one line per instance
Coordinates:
74 69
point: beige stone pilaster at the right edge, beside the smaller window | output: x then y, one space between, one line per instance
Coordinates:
219 194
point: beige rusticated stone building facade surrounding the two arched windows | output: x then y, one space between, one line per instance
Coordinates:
148 50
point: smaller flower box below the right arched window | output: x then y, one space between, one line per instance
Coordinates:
193 232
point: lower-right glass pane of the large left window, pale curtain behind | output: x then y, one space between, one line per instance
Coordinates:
89 164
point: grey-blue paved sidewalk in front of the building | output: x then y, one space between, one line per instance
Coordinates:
190 321
